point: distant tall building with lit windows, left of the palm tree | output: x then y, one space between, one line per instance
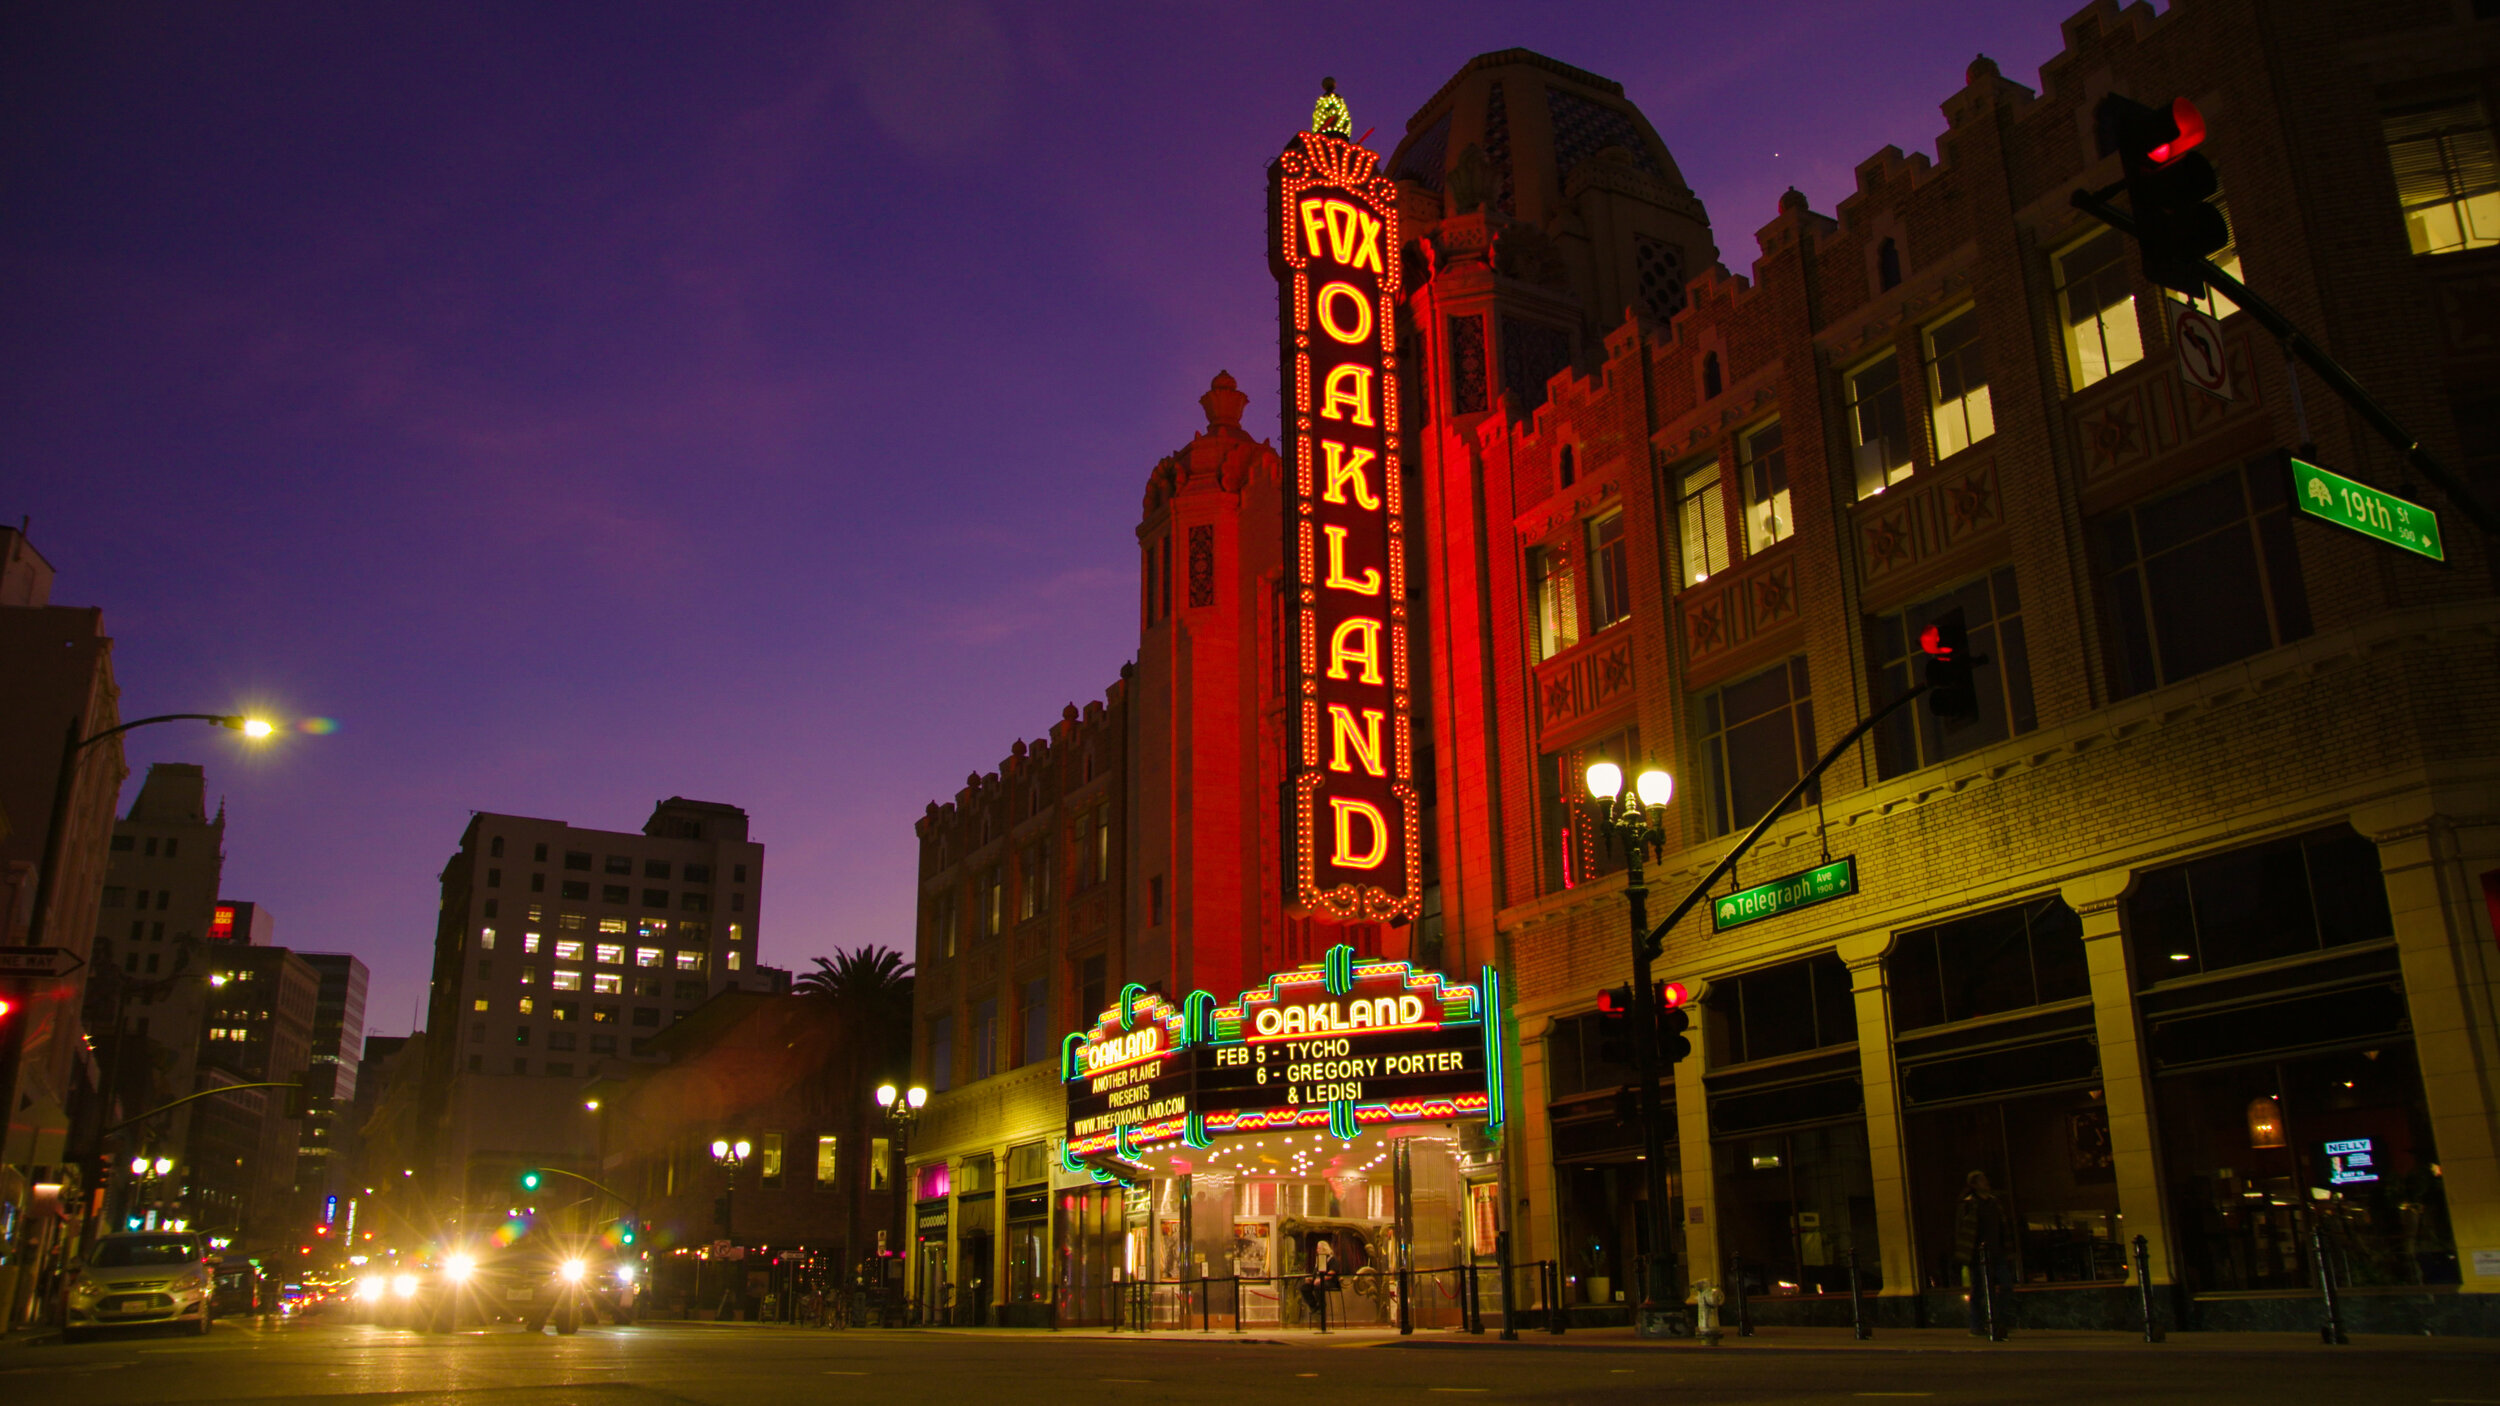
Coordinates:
559 949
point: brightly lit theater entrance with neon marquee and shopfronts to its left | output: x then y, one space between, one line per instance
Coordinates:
1319 1155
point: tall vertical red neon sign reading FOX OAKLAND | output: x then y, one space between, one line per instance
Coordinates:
1356 824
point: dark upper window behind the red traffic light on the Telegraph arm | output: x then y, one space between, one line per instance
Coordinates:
1994 617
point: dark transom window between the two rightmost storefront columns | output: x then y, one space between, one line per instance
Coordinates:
2266 902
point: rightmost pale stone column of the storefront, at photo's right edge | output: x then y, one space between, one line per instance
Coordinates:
2451 969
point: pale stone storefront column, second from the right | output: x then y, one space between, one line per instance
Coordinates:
2126 1067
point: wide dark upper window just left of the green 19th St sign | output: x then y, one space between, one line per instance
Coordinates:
2199 579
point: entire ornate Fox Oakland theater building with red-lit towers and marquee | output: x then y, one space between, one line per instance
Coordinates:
1271 984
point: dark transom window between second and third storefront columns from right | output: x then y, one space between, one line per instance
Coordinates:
1986 964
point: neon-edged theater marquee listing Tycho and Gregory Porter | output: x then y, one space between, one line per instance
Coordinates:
1339 1044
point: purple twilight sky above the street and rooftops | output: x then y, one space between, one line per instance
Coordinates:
586 404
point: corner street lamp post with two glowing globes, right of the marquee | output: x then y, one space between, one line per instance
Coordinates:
1634 822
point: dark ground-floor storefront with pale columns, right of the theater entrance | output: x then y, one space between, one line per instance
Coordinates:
2236 1072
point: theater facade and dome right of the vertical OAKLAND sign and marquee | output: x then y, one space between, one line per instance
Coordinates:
2136 942
